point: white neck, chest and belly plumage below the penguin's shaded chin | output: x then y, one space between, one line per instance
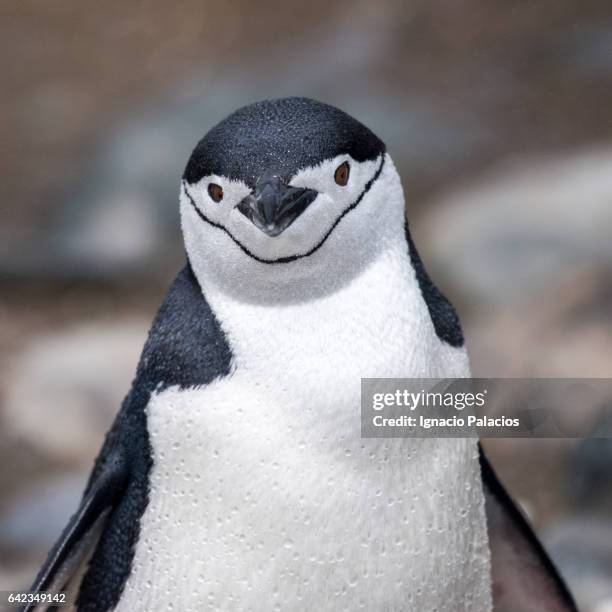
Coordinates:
264 496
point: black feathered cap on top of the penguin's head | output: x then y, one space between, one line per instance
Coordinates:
279 136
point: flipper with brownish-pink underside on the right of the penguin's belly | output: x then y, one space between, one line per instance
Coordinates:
524 577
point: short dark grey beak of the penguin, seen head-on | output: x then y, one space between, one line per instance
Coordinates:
274 206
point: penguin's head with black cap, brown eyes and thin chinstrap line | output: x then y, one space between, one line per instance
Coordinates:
282 188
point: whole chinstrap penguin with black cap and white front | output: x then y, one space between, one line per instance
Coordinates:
234 476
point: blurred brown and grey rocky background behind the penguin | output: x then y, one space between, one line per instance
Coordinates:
499 116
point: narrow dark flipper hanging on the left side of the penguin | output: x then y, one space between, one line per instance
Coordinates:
104 491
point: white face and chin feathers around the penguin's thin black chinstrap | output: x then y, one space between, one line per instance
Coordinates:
357 237
